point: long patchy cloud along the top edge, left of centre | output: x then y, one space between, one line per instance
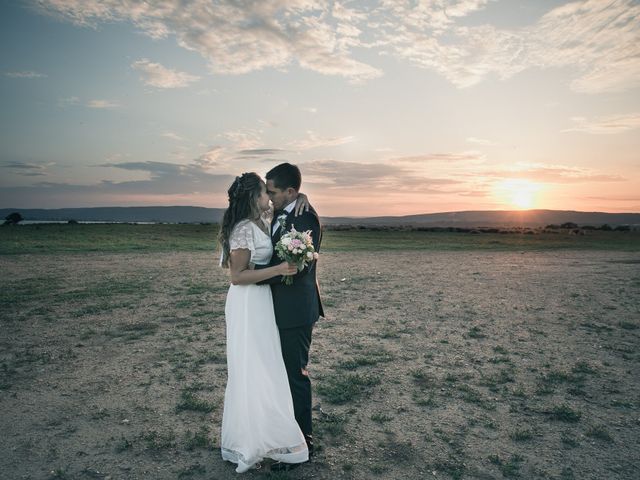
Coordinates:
235 37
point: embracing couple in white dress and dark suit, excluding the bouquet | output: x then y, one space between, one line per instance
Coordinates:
267 404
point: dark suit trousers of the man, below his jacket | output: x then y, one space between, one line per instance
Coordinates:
295 344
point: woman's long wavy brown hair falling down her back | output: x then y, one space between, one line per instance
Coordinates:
243 203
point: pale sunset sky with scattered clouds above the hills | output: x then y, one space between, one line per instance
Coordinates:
388 107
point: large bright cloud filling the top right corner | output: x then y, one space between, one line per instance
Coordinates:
598 40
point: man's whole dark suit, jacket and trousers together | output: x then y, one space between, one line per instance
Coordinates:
297 308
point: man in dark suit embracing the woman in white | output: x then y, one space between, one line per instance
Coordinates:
297 306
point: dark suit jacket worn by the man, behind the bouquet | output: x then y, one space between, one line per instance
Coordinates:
298 304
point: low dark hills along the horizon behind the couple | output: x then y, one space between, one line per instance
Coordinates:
479 218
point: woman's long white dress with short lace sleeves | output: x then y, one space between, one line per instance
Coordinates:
258 420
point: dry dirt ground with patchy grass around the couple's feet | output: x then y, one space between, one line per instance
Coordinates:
478 365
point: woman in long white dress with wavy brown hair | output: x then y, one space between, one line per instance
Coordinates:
258 420
